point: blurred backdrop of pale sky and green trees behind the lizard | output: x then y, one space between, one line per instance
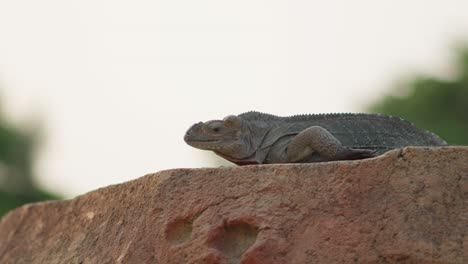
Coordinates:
99 92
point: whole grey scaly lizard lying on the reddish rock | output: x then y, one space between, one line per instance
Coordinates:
259 138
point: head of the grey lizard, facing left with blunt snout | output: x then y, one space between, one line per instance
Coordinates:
228 137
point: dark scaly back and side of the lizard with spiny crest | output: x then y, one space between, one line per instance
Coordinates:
364 131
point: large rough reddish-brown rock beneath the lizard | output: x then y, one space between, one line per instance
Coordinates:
408 206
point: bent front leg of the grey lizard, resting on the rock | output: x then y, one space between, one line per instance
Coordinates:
318 140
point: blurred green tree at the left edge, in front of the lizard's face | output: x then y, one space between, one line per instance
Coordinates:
17 154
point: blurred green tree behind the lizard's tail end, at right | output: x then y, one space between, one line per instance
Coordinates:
432 103
